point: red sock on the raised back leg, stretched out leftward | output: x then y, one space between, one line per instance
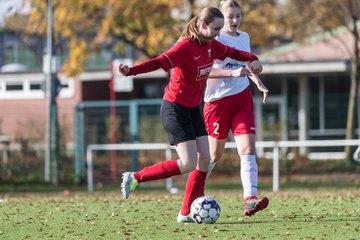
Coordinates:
161 170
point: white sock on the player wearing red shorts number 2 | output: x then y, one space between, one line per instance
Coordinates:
249 175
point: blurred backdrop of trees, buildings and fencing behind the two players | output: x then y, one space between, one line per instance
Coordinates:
59 93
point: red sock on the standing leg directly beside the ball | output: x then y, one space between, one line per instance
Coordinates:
194 189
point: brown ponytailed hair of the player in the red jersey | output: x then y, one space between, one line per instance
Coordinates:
207 15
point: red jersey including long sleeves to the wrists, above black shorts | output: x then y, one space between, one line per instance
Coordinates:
191 63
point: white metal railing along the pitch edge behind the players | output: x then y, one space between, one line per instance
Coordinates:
275 145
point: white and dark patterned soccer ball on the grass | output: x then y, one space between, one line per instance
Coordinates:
205 209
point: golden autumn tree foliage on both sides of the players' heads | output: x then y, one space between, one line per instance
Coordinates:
150 26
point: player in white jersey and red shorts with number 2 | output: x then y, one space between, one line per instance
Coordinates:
229 105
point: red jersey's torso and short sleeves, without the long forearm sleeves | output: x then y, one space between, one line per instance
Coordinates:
191 63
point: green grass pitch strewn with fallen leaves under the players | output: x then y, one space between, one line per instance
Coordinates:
326 213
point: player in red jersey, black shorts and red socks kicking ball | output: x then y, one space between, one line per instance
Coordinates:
191 59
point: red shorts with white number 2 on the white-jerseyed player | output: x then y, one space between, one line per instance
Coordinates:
234 112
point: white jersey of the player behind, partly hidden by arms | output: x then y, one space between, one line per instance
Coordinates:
222 87
